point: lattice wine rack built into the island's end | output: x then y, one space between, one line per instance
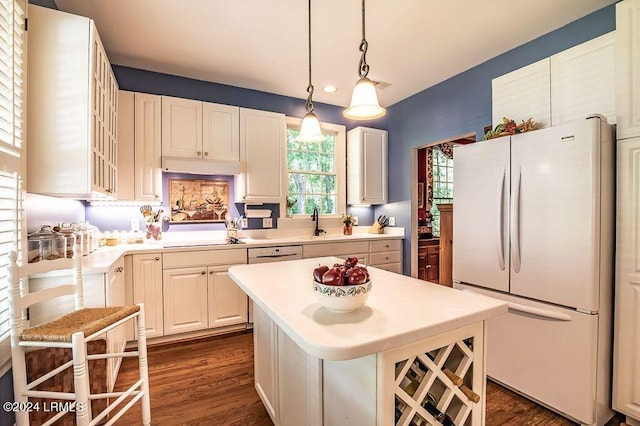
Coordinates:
439 381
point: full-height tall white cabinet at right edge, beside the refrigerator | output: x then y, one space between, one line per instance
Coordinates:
626 353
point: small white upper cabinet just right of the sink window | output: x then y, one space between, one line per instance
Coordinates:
367 180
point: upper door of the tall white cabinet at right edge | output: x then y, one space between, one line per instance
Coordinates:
628 68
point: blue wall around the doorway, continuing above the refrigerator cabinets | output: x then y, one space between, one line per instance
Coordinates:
462 105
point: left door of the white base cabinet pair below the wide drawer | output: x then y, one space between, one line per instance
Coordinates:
184 299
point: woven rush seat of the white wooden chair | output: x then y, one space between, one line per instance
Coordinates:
87 321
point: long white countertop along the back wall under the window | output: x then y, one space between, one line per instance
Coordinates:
101 260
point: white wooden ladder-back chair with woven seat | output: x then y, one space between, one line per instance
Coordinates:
72 331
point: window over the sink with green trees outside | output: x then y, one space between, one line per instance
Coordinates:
315 171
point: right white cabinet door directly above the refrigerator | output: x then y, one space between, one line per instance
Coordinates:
583 81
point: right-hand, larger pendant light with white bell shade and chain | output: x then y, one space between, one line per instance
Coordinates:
364 99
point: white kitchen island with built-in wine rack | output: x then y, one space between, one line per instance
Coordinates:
414 350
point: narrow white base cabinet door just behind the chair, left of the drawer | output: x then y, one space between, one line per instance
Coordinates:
147 289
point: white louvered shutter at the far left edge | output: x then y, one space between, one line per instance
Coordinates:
12 74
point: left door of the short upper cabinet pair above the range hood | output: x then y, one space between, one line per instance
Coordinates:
181 127
